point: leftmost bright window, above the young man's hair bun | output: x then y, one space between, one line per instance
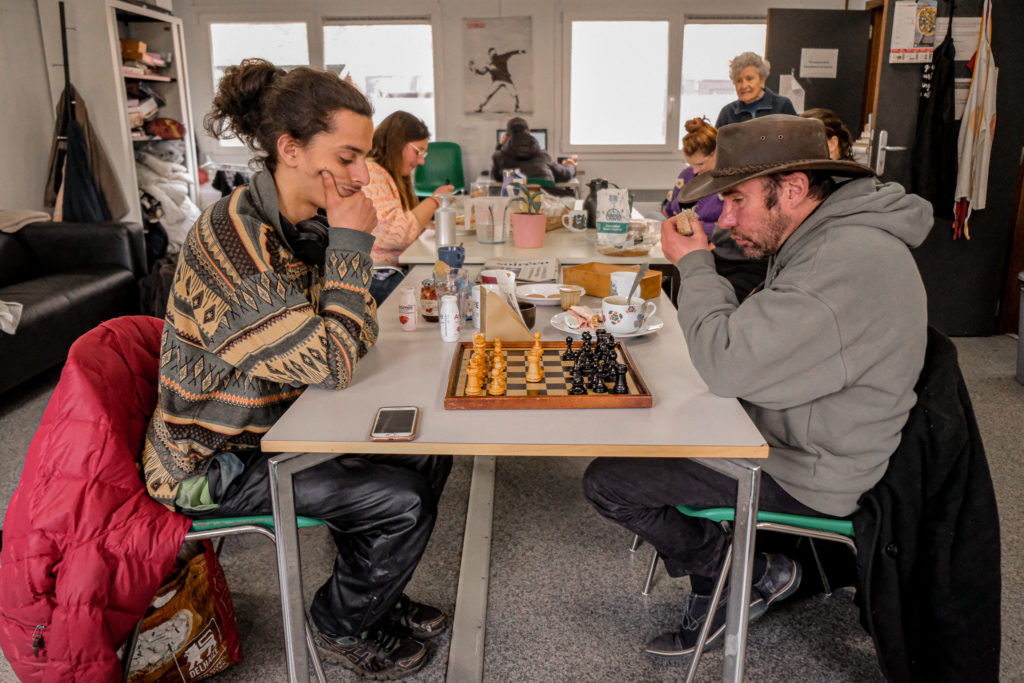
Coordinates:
283 45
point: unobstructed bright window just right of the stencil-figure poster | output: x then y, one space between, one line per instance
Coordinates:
619 92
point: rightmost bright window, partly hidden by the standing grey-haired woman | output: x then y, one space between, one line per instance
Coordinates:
707 52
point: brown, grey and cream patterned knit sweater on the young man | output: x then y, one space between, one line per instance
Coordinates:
248 328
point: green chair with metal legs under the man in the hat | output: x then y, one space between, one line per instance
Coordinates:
828 529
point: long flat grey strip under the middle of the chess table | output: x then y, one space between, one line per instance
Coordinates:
466 651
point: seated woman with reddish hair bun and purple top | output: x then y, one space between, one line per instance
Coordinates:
700 147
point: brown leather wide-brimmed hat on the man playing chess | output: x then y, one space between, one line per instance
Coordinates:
777 144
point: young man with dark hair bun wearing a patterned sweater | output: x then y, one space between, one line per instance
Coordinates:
271 296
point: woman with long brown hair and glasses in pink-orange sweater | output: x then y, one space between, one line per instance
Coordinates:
400 145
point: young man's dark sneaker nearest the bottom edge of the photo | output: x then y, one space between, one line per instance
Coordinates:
380 656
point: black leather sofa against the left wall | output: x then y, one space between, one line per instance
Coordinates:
70 278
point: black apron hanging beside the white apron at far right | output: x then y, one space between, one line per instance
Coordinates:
934 156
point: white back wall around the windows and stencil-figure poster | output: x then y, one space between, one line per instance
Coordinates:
476 134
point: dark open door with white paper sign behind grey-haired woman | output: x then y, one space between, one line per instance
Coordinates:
793 32
